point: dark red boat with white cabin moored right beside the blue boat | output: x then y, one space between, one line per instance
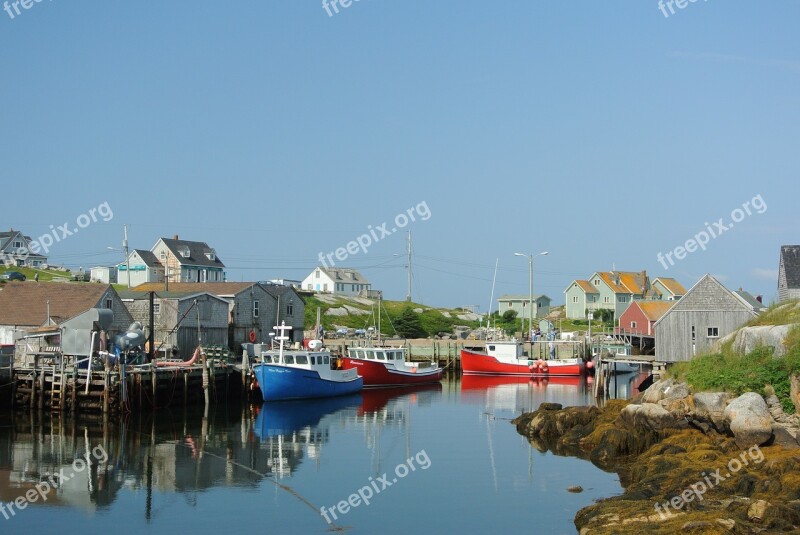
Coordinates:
387 366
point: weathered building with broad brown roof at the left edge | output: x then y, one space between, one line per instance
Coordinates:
25 306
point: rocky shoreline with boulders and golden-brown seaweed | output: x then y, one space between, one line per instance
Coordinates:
692 463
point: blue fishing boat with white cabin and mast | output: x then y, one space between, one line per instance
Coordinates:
302 374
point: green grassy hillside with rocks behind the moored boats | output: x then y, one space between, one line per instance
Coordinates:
364 313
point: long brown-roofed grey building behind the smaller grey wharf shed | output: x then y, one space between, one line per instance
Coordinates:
252 307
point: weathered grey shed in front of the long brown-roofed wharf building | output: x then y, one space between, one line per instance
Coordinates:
169 308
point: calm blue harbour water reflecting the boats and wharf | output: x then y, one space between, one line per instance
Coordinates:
270 469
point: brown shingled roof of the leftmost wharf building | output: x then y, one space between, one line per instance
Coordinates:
25 303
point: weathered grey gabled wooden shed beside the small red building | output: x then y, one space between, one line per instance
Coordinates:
707 312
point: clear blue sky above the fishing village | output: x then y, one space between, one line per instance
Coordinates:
604 133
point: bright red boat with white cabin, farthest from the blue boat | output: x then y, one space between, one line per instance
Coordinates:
507 358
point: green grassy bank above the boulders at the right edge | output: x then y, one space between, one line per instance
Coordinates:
728 371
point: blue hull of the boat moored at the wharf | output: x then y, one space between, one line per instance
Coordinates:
280 383
